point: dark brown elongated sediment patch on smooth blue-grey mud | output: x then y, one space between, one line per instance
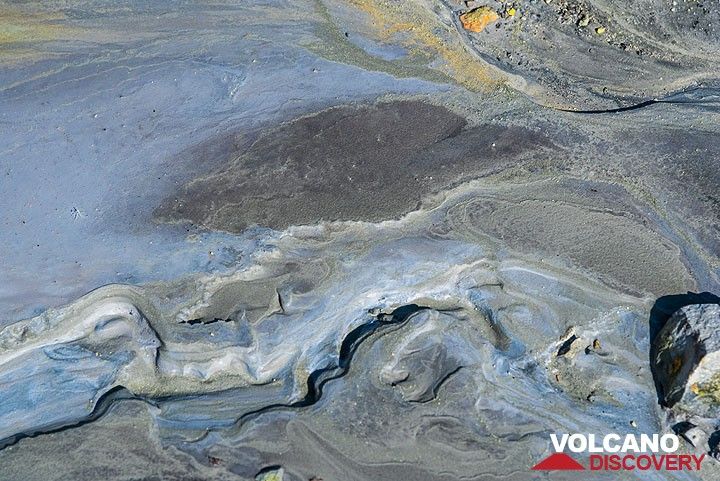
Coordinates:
370 163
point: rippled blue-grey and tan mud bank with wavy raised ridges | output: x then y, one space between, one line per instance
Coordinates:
450 350
